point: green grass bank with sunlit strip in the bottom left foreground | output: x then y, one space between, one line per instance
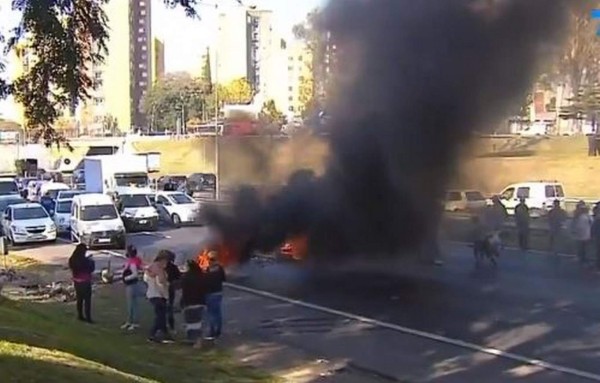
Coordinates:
42 342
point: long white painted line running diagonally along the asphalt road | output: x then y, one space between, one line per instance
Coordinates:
422 334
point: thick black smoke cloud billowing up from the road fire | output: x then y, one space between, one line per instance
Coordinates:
417 77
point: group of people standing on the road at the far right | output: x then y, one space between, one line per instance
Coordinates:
583 228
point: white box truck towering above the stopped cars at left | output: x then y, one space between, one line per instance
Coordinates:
104 174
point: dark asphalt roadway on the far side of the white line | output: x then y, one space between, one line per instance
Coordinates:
533 304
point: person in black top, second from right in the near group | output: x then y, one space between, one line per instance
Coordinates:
193 301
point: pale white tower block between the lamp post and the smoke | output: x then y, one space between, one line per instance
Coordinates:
248 46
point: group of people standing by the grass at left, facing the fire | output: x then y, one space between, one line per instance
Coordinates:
200 298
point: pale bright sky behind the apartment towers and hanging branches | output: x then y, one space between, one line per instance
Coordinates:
186 39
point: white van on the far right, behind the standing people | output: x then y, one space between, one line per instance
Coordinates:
539 196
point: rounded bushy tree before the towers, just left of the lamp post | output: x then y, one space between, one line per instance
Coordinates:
173 96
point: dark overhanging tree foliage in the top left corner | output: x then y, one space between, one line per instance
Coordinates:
66 37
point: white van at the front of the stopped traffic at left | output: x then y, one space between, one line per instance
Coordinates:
96 222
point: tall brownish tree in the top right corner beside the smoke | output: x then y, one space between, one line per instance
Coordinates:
579 63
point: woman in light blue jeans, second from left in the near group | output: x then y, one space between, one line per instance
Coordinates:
134 288
